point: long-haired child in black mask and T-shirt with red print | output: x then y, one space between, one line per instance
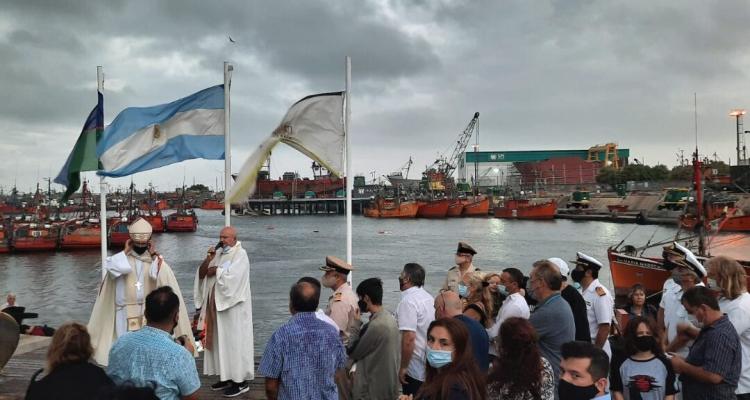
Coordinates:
646 374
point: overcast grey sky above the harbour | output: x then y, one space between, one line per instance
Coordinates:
562 74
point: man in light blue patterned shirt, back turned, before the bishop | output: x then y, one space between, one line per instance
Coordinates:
149 357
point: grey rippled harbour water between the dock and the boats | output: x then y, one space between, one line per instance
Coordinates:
62 286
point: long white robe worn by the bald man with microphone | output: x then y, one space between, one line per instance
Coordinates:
231 353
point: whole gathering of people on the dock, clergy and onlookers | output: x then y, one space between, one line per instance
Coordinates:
554 334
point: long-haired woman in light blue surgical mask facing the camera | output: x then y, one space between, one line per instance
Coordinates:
452 372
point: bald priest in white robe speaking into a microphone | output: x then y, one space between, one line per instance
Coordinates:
222 292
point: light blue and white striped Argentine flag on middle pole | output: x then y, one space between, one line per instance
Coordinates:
144 138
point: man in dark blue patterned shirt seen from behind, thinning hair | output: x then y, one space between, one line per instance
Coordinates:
302 356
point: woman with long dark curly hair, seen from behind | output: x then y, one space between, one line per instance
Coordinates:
520 372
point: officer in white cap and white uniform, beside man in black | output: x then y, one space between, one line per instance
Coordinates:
599 302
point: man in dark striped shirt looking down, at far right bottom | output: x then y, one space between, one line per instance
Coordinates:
711 370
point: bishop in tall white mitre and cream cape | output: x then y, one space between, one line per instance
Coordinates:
130 276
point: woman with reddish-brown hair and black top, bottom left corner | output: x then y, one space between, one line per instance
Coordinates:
69 374
